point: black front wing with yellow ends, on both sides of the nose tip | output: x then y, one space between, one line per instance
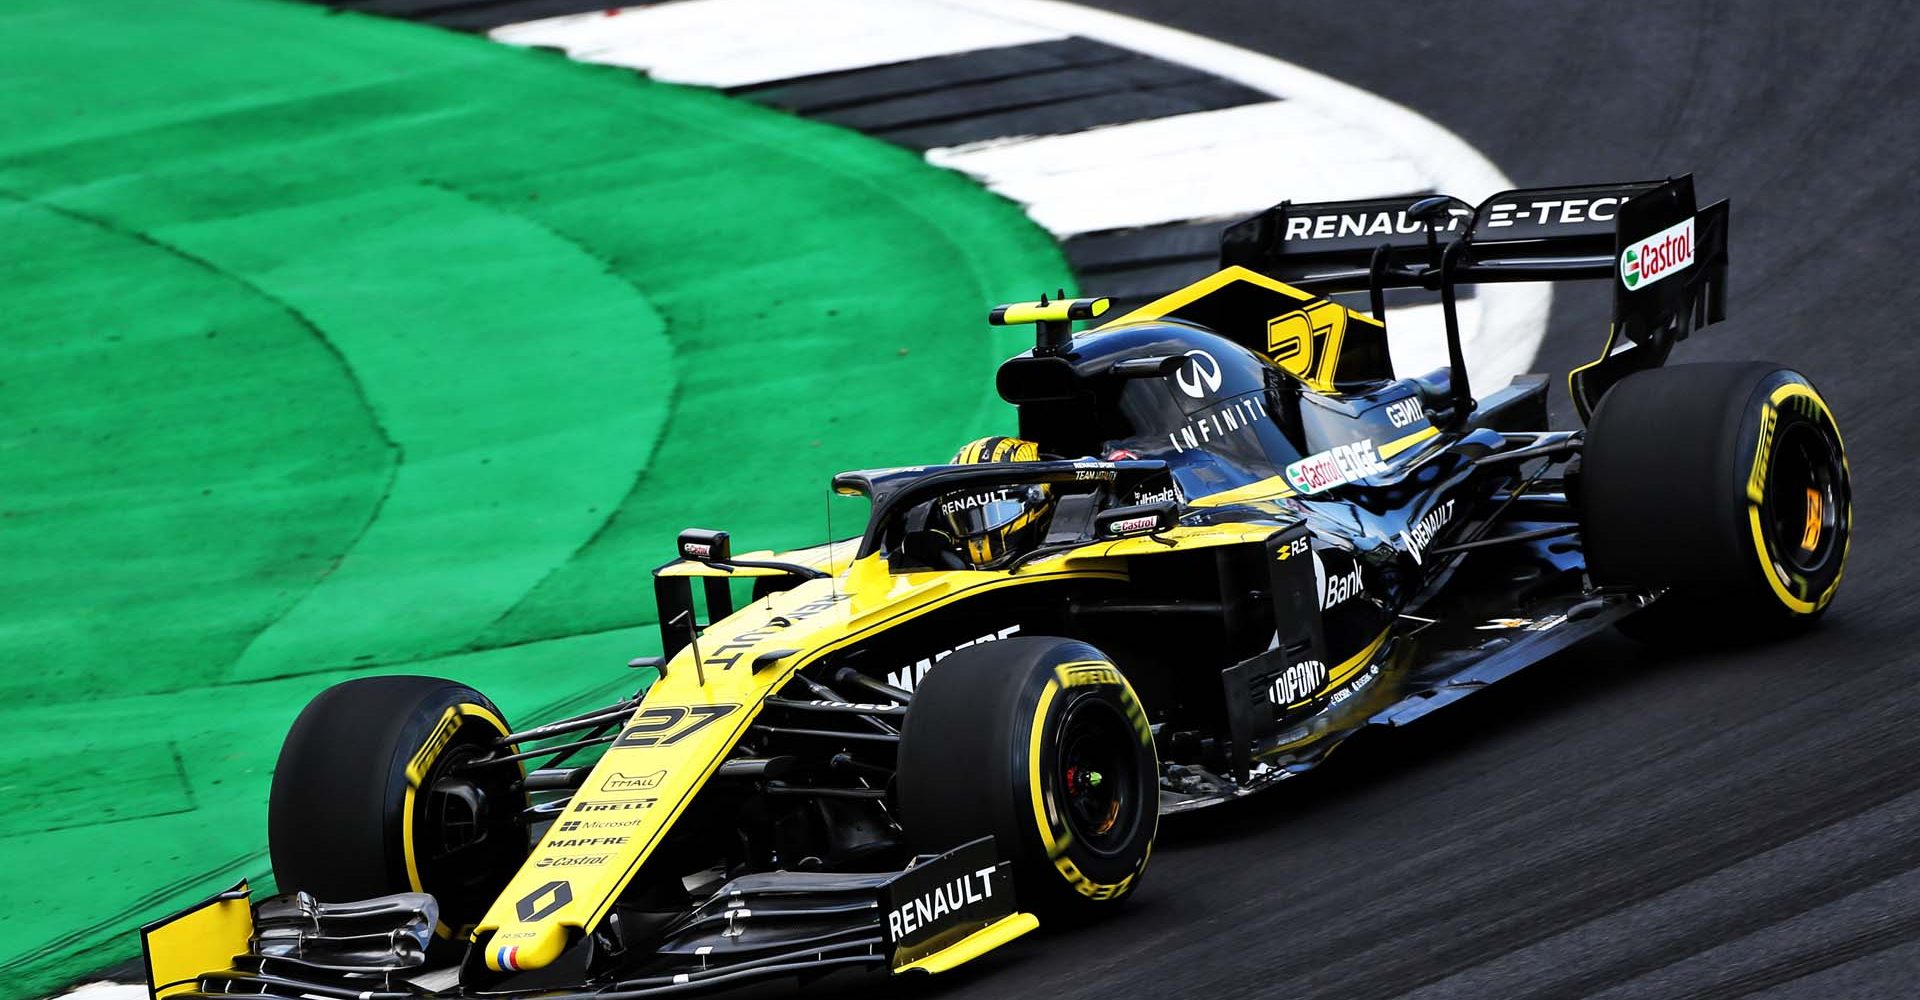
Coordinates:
936 915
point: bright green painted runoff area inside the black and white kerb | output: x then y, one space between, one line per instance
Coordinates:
337 346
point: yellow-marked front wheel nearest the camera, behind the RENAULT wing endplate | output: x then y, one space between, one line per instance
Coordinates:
1044 746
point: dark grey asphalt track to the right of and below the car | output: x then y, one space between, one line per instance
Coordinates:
1621 821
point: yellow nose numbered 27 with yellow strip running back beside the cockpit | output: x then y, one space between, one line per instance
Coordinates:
684 730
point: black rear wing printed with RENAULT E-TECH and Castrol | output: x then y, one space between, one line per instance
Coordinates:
1666 260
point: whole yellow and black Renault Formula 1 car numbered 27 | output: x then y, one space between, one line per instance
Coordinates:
1224 540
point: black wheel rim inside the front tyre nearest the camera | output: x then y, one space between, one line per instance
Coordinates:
1097 774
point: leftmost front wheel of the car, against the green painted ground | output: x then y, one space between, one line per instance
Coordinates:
372 798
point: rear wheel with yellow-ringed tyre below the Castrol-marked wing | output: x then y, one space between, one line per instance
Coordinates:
1729 487
